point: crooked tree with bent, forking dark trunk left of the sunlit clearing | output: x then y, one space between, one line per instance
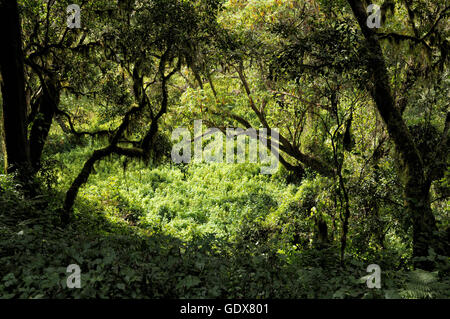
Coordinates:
149 43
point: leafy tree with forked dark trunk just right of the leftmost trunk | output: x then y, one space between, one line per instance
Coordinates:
52 53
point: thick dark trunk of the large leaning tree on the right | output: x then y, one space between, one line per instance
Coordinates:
416 189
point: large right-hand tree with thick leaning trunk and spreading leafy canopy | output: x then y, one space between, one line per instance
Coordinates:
329 48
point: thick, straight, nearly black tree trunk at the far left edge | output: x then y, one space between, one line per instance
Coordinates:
13 90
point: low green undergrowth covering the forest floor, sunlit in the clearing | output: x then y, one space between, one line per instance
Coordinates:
126 261
